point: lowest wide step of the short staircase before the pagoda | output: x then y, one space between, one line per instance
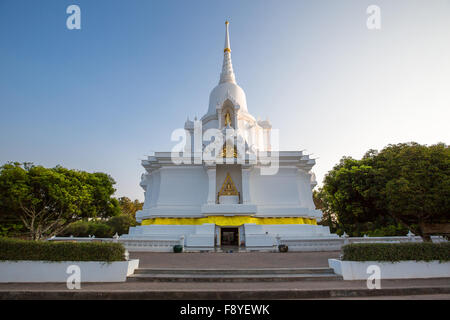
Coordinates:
232 277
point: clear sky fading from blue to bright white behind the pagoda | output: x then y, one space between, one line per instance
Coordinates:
103 97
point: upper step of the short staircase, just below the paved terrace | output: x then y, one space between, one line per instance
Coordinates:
259 271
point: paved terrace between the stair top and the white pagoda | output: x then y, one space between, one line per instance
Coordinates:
235 260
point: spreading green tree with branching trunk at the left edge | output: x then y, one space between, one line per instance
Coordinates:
47 200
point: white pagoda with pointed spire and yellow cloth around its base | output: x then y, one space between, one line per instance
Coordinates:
228 185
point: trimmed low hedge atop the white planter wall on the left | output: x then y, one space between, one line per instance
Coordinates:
12 249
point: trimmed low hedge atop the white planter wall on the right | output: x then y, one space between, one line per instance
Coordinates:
394 252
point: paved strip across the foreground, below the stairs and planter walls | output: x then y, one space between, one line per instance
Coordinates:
390 289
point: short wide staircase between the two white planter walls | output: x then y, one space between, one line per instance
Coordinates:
233 275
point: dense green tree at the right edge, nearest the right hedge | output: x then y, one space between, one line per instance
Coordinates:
414 184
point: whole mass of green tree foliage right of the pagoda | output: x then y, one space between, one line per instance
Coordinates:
404 186
